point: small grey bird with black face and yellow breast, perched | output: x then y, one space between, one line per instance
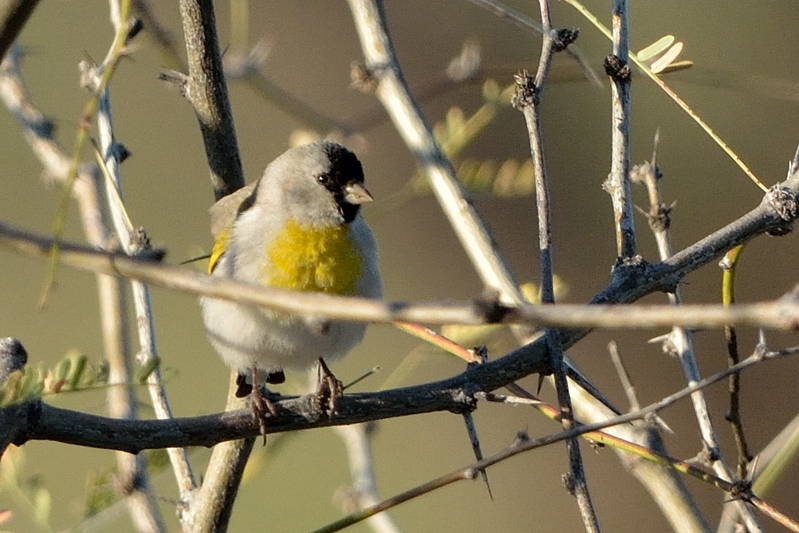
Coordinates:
298 227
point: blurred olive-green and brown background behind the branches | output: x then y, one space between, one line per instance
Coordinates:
745 84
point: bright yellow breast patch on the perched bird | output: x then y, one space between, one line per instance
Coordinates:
305 258
